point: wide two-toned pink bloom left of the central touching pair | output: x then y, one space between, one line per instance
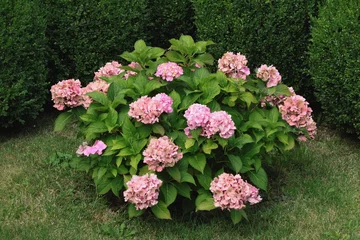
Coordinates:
147 110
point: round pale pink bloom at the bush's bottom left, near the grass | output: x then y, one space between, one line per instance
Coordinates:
143 191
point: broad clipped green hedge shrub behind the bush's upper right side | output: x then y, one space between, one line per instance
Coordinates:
274 32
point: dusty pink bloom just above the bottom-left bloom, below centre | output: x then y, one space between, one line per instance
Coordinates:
161 153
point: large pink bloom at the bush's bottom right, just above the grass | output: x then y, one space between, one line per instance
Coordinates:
232 192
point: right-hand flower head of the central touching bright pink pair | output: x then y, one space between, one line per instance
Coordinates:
221 122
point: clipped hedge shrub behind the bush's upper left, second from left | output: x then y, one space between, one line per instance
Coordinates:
85 34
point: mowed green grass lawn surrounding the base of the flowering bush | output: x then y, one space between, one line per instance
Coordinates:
314 193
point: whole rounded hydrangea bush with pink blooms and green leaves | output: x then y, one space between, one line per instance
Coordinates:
165 129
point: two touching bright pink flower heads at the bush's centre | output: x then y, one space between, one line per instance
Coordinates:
199 115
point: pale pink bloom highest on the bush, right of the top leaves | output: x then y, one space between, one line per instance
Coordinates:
234 65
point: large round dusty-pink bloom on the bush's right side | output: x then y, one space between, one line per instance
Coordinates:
295 110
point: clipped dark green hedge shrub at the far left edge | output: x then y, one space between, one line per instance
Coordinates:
23 69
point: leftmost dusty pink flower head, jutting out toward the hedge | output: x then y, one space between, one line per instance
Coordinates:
66 93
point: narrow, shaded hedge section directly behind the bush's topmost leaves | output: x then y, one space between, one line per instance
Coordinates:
170 20
